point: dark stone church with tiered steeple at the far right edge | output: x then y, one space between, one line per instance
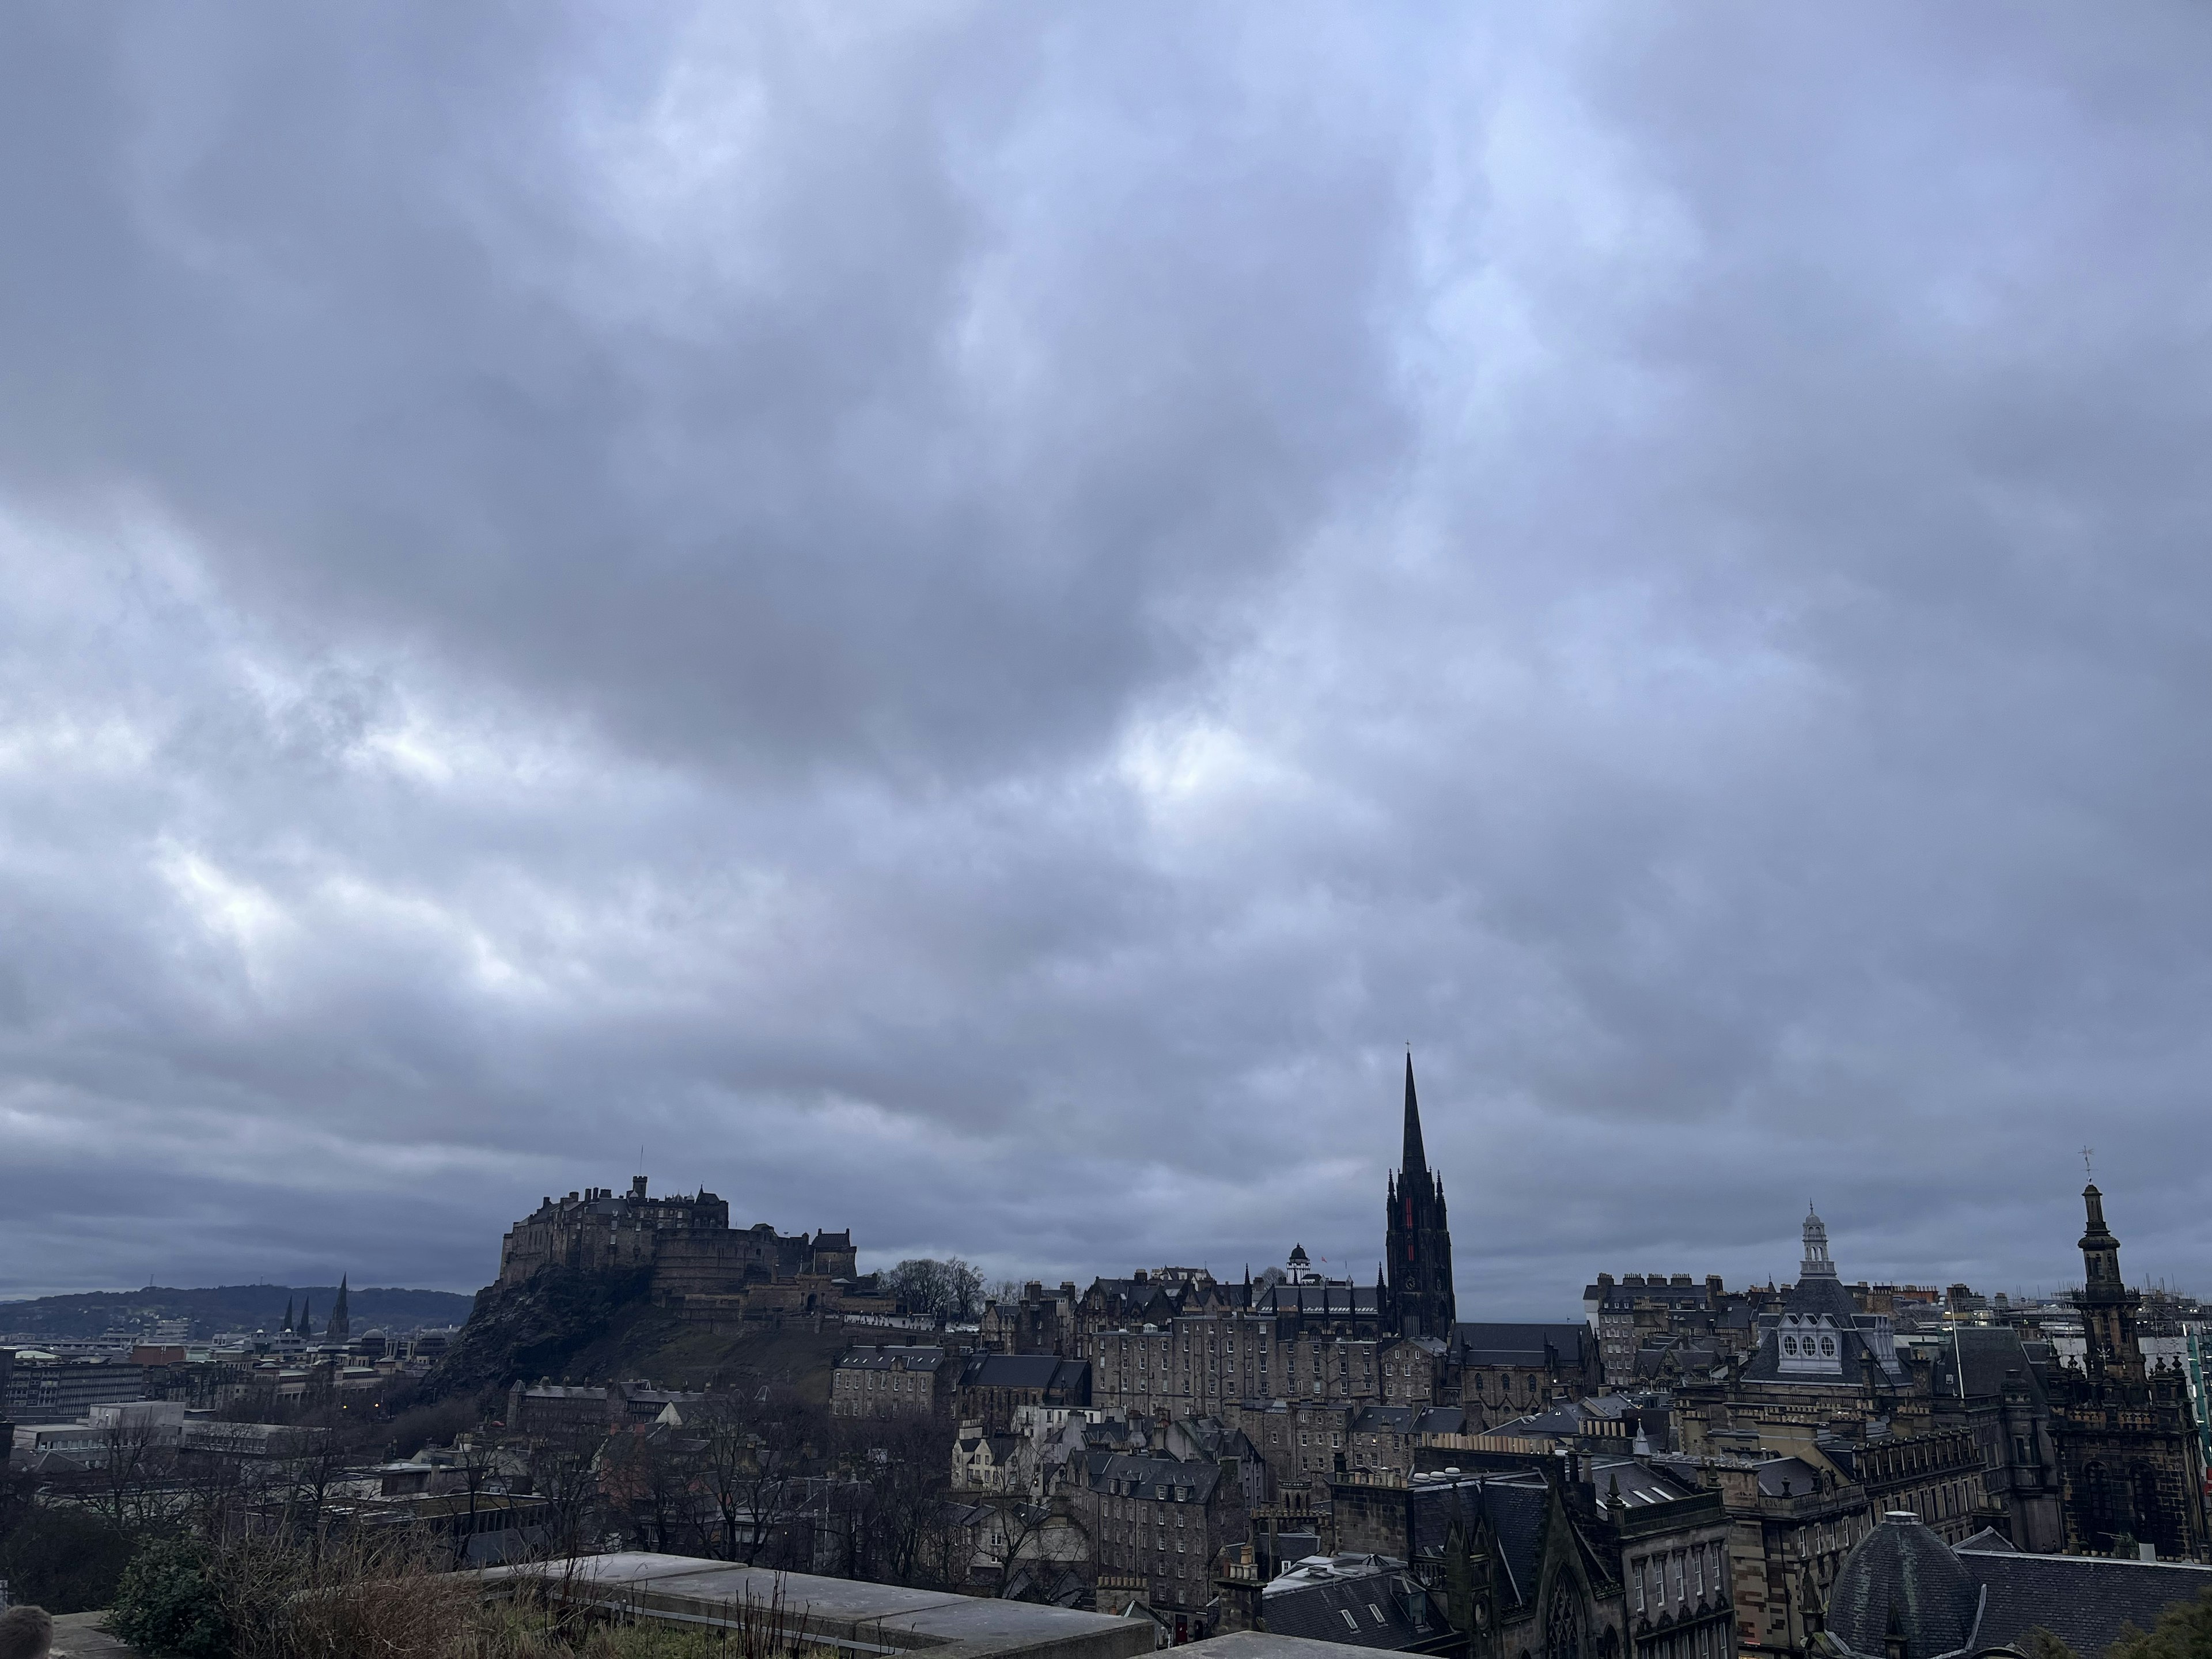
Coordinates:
2131 1468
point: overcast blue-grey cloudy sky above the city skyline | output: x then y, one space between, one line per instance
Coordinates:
963 623
